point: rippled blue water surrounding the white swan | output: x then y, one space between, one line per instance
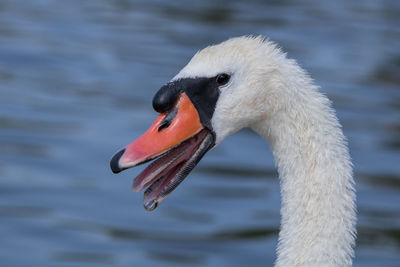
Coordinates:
76 82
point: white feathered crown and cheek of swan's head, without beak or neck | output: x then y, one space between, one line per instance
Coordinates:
250 94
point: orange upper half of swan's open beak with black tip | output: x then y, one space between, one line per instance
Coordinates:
169 130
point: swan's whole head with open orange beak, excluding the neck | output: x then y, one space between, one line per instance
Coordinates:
223 89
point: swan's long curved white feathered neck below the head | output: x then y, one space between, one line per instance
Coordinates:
317 193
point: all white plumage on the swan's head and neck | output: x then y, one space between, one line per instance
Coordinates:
272 95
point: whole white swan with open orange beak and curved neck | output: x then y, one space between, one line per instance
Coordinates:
249 82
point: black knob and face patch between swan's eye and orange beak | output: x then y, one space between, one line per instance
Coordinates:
203 92
